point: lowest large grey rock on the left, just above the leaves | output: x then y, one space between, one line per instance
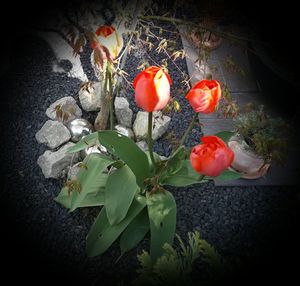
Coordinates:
53 163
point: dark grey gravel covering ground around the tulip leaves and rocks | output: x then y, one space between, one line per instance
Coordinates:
235 220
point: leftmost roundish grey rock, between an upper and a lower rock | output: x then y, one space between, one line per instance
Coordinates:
53 133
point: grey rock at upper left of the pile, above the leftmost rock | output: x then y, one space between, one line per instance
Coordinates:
69 104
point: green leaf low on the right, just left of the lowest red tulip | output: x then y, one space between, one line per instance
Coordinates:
184 177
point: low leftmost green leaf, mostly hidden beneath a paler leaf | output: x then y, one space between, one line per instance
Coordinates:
91 200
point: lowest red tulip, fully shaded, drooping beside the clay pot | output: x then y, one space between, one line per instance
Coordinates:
211 157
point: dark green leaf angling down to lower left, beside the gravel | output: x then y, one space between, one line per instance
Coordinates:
102 234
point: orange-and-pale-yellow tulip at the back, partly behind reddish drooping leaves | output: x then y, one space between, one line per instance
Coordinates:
109 37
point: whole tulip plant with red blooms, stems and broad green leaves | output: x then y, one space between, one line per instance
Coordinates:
129 183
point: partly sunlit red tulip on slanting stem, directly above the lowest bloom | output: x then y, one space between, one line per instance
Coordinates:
204 96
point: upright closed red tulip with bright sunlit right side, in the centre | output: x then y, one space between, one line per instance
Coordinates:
152 89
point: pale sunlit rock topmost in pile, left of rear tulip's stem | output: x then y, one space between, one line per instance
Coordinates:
90 96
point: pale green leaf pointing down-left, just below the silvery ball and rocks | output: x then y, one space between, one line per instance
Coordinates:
91 178
